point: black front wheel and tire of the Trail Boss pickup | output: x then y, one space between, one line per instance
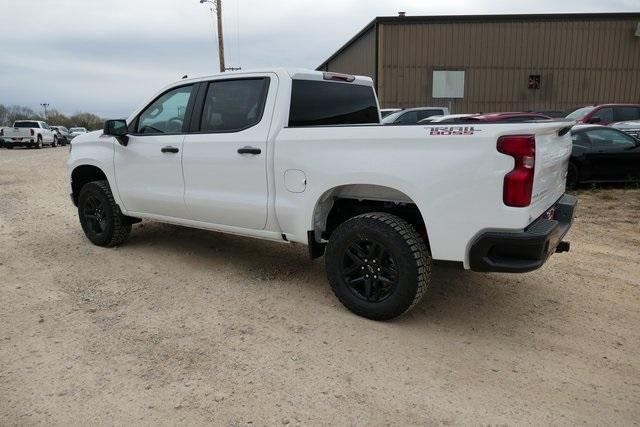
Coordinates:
100 216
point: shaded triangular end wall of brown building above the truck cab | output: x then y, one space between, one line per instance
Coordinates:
358 58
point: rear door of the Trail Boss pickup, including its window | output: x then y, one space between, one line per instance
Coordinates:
225 155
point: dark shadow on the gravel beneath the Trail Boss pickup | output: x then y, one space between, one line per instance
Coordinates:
455 298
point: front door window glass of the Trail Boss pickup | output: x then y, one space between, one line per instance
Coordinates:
166 114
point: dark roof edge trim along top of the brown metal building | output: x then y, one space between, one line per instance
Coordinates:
442 19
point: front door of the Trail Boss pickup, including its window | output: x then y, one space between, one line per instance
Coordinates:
149 168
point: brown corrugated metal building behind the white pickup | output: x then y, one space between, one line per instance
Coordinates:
488 63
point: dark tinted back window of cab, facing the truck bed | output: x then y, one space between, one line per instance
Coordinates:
321 103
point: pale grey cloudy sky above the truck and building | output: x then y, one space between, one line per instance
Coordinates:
108 56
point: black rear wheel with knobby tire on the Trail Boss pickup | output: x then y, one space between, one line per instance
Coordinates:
378 265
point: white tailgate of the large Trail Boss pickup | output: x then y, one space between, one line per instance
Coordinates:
553 149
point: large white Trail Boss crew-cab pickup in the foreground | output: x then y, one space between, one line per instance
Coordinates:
300 156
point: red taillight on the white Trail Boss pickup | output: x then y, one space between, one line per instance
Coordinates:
518 184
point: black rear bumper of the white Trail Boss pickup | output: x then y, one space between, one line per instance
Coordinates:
522 251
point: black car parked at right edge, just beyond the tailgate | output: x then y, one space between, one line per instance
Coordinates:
603 154
